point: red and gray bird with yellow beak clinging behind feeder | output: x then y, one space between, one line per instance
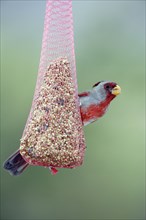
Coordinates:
93 105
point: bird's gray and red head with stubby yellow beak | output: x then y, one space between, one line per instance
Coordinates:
106 90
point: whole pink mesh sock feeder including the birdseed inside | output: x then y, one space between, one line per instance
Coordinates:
53 135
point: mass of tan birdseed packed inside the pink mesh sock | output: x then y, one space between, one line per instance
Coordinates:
54 134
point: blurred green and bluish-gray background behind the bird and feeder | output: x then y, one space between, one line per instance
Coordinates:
109 44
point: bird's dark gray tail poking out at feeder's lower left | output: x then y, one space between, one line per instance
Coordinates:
15 164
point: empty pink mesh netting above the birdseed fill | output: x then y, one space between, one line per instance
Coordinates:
58 41
